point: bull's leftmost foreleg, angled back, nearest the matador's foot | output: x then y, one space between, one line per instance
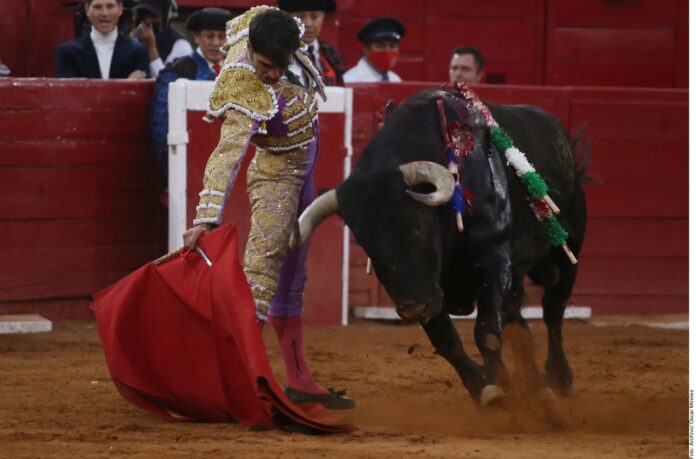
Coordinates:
447 343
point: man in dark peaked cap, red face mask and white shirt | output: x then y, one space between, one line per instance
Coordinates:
381 37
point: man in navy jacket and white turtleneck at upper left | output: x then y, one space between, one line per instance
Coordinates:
104 53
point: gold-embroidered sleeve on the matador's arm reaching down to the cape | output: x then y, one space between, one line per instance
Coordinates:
223 166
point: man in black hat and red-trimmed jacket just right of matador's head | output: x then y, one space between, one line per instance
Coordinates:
323 55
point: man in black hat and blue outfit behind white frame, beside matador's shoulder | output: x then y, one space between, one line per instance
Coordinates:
208 27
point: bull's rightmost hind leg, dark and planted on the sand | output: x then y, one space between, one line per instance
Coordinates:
558 372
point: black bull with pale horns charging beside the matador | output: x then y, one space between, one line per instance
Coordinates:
427 266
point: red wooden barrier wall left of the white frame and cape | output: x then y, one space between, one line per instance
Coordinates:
79 192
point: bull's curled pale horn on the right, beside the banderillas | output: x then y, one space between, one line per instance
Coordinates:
418 172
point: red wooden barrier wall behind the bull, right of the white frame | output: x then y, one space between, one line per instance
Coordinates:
636 253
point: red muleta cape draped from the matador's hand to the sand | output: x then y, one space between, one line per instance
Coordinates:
181 340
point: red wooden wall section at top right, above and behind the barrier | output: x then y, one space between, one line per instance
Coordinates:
617 43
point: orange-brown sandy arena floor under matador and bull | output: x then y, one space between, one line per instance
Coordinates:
630 399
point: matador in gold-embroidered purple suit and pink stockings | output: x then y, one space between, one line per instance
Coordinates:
257 106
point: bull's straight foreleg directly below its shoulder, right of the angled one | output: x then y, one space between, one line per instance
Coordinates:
487 331
